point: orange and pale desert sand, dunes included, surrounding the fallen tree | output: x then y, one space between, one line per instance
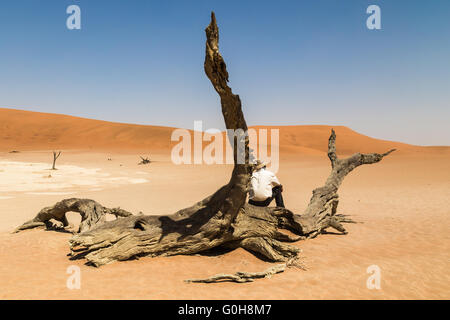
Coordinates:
403 205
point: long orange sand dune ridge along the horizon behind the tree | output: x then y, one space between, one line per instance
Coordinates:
26 130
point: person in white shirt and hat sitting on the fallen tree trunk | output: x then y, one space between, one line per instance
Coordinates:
265 187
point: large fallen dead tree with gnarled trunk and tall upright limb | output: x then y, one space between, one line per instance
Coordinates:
222 219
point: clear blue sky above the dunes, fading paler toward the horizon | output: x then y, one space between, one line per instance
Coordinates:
292 62
